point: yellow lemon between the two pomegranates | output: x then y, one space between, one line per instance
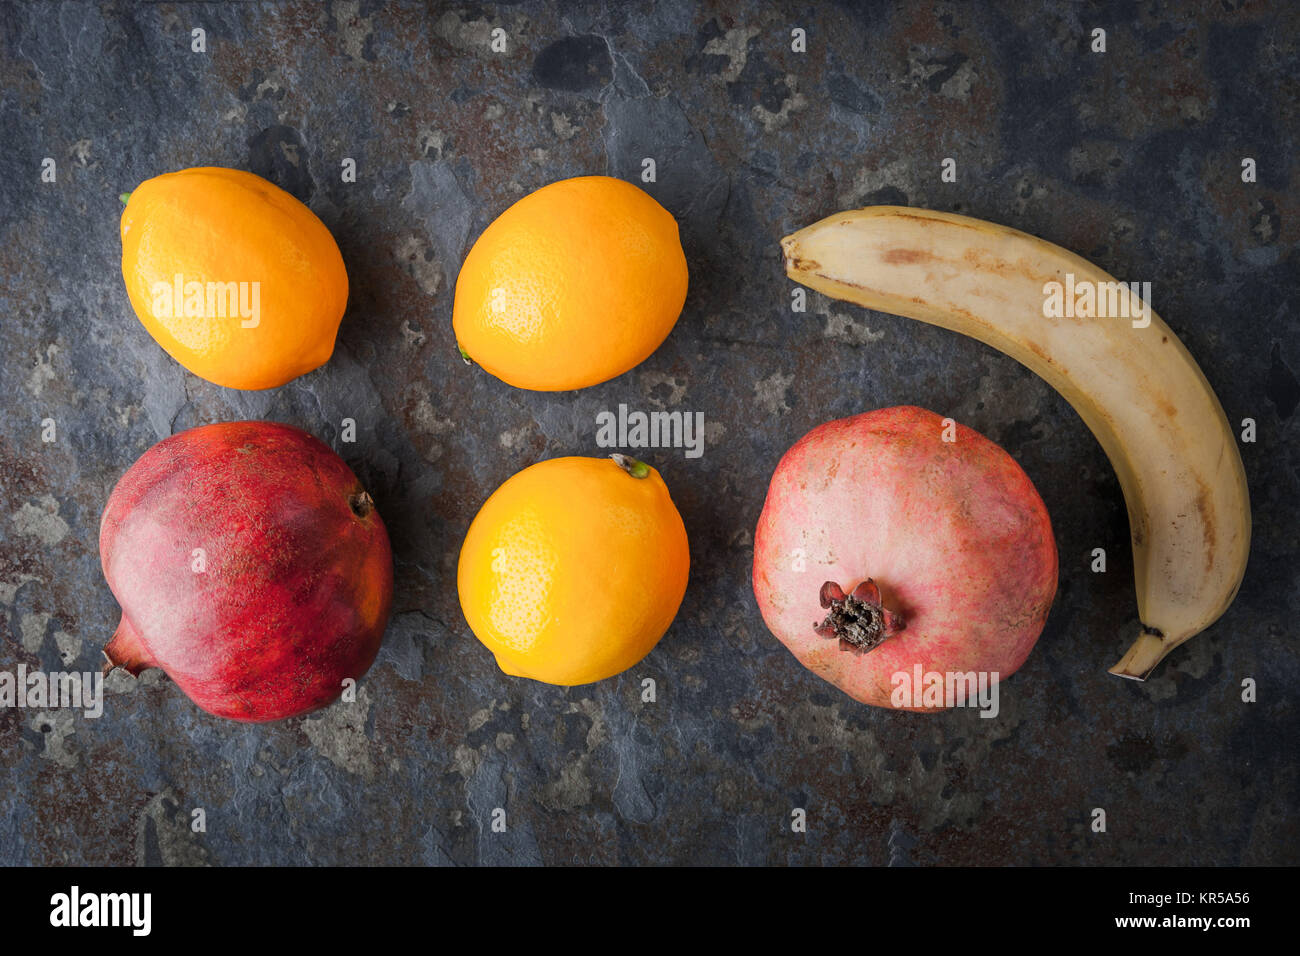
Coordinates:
574 569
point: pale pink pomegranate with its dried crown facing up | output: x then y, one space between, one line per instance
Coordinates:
898 543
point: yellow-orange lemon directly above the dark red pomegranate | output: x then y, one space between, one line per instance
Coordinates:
236 279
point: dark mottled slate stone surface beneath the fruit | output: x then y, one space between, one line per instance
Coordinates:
1132 158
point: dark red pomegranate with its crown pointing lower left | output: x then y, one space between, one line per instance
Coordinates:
250 565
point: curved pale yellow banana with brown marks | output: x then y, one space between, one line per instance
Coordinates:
1130 379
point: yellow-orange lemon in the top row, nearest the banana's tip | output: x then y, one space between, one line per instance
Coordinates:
573 285
